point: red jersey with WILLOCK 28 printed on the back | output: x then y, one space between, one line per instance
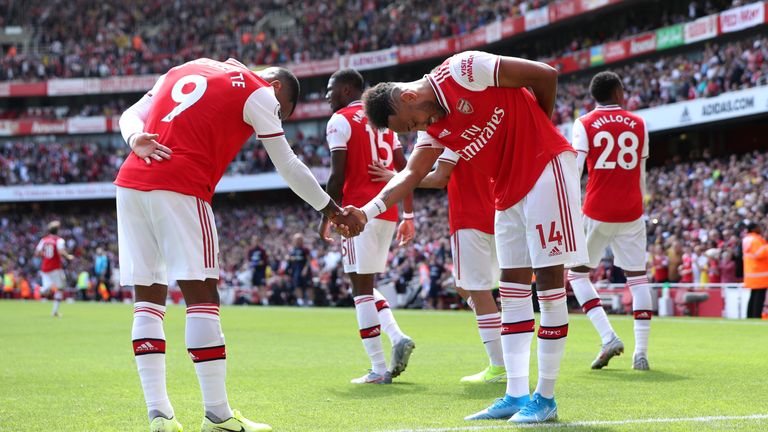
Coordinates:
615 142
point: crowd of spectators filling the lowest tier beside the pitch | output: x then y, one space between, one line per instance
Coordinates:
696 213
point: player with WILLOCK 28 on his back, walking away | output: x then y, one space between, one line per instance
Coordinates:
614 143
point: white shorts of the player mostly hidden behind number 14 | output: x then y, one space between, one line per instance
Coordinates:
475 267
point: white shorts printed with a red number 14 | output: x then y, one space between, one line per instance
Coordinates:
545 228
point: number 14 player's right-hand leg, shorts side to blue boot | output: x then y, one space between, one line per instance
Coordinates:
554 237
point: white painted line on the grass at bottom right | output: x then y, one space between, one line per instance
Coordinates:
588 423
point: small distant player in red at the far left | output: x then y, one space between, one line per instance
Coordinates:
51 248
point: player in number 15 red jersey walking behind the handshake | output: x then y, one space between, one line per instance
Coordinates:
355 145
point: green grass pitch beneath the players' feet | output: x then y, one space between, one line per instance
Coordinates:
291 368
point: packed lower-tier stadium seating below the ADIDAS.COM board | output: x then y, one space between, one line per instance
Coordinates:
694 208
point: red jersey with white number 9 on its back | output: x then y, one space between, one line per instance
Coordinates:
204 111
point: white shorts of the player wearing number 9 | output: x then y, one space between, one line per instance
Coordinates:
163 236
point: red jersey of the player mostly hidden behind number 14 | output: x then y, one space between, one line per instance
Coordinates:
470 196
